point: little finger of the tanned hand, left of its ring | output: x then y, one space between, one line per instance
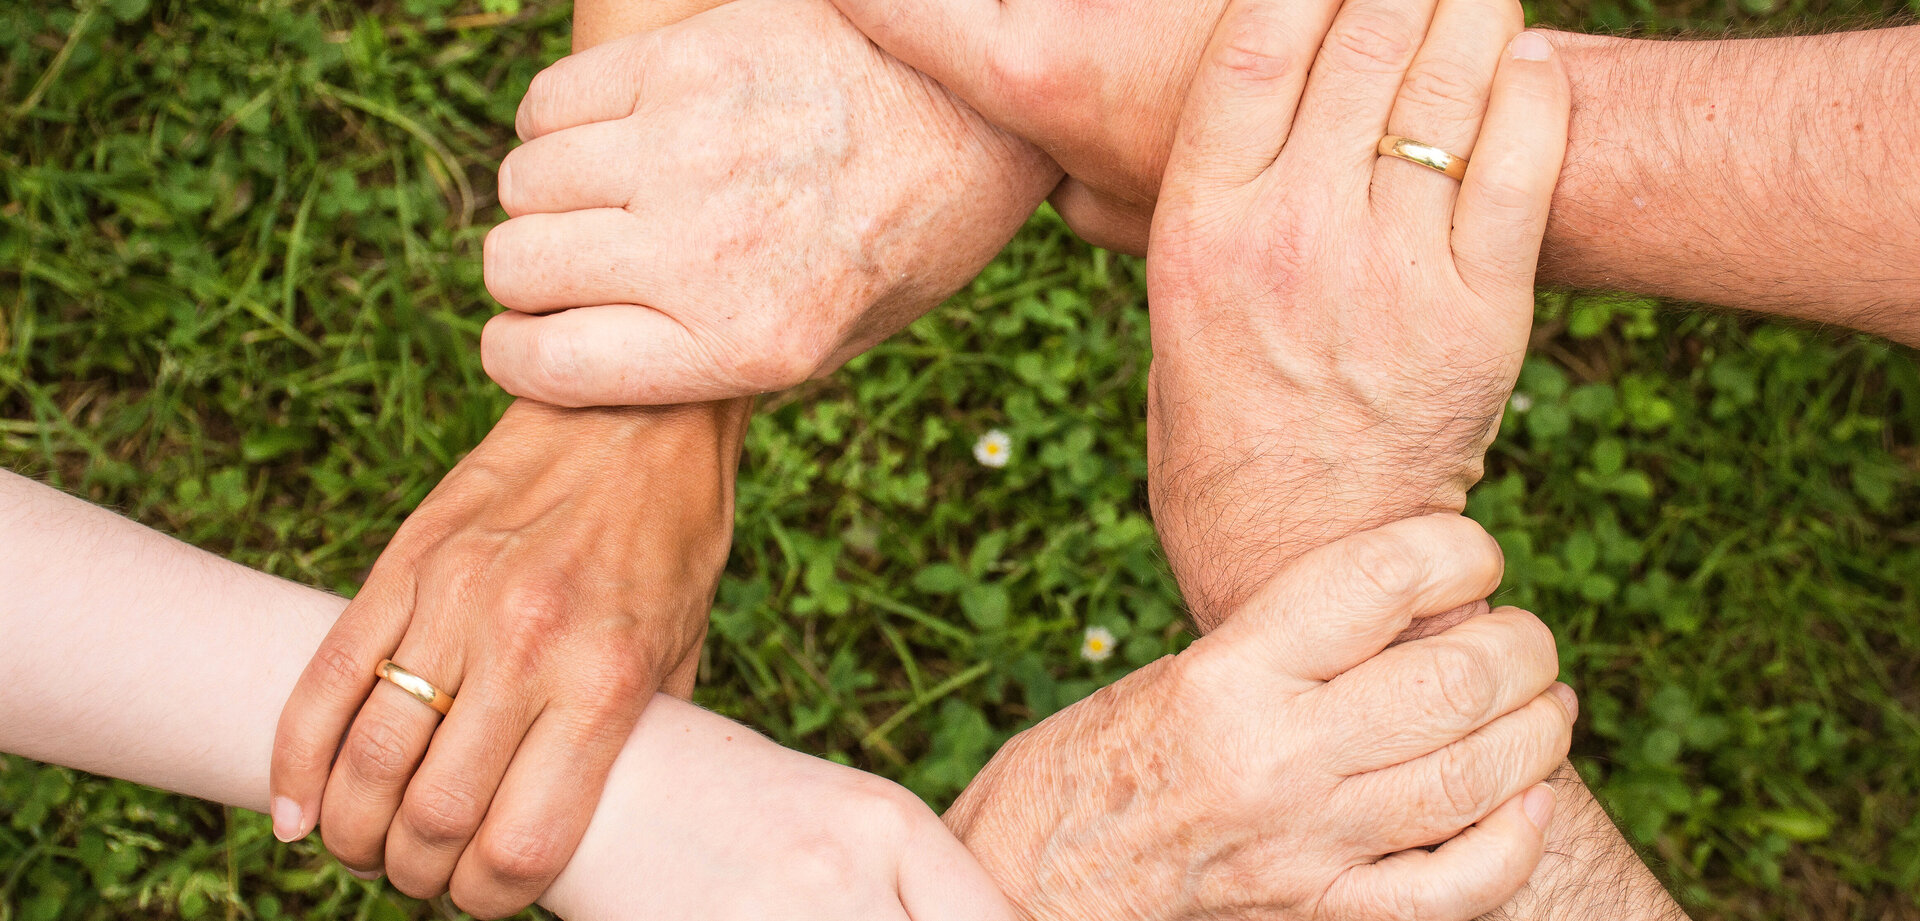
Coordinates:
331 690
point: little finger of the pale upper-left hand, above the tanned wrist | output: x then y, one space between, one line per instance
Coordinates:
619 356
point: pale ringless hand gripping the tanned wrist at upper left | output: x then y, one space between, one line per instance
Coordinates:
736 204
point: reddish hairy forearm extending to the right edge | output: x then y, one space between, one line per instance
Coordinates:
1767 174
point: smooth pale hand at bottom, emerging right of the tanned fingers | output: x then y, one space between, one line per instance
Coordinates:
706 820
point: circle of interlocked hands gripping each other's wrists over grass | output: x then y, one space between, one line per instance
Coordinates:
744 201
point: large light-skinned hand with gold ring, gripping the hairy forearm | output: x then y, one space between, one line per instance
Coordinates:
1337 333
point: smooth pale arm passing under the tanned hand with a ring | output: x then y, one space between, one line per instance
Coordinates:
137 657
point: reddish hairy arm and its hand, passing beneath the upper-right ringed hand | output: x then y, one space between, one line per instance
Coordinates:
1771 174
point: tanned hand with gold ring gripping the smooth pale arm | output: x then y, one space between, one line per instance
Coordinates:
552 582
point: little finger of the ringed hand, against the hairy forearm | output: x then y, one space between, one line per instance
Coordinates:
1504 201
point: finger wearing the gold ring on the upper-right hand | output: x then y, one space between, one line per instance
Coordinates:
1441 105
